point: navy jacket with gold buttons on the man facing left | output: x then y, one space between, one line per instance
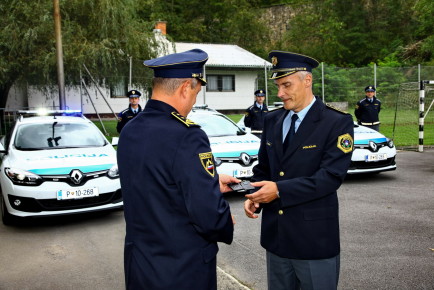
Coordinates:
303 223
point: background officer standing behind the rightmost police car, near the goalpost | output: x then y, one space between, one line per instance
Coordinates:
367 110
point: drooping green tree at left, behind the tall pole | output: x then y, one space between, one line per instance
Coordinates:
101 34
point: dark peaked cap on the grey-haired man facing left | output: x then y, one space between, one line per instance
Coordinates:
286 63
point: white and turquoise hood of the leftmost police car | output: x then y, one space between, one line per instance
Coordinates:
62 161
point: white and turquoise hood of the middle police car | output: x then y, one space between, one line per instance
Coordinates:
233 146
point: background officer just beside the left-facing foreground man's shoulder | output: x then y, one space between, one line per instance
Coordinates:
254 116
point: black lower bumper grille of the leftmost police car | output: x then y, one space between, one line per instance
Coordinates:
38 205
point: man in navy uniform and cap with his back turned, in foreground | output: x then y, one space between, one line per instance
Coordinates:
174 208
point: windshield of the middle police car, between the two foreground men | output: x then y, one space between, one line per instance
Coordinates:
216 125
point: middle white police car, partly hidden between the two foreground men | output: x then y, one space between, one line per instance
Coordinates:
235 151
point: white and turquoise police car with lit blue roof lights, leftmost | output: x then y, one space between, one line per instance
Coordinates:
56 164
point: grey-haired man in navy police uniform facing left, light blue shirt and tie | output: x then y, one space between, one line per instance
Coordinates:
304 156
